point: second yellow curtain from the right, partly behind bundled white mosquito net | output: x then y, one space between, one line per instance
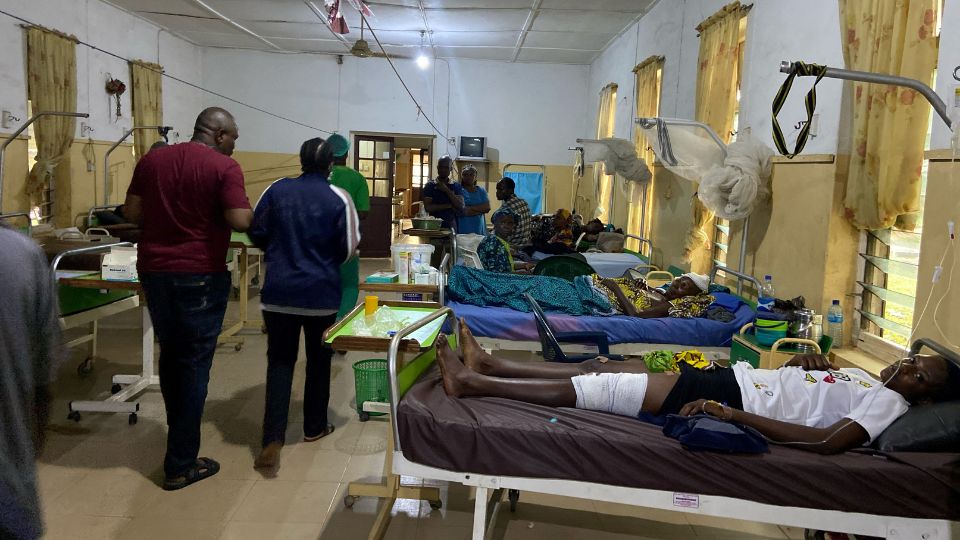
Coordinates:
716 103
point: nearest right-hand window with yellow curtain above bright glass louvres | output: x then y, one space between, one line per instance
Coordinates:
887 174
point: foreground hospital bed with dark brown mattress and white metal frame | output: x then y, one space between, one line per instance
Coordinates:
495 444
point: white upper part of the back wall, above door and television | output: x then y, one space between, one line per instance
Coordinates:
531 113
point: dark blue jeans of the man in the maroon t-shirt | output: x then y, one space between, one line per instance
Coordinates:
187 311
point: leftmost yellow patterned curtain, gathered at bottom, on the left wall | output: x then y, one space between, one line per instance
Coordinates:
51 86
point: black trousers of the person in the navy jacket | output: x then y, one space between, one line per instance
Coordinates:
283 347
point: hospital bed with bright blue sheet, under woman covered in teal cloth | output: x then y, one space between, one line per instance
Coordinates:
500 328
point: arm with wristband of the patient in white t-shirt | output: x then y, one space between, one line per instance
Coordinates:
839 437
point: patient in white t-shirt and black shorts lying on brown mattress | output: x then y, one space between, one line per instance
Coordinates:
808 403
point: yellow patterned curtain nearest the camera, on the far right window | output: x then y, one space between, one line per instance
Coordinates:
895 37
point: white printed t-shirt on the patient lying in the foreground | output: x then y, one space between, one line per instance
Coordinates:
819 398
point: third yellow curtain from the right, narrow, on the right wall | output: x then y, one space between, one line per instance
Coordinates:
648 77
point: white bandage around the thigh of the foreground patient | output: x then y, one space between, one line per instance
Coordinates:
617 393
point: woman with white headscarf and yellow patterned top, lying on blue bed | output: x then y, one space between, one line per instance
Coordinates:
686 297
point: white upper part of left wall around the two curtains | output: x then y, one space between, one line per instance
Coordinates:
113 30
